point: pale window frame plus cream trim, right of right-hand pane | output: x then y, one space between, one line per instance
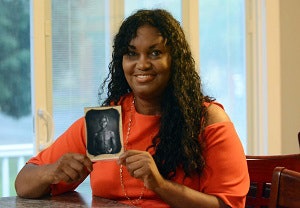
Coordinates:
263 77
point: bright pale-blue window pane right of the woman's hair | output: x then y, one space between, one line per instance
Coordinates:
223 57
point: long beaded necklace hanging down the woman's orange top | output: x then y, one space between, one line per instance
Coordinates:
132 201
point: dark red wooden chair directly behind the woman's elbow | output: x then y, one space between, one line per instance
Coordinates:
260 171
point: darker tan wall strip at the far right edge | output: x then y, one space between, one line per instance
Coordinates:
290 74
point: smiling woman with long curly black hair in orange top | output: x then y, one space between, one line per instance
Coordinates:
181 148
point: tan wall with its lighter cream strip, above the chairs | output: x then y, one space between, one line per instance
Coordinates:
283 71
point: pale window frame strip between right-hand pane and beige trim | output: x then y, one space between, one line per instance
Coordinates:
256 81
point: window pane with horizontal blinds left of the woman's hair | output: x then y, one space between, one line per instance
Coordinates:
78 58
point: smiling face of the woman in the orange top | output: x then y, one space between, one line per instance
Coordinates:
147 65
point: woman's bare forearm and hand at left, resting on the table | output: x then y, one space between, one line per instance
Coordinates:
34 181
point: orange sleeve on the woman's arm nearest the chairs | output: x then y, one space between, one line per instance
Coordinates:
226 173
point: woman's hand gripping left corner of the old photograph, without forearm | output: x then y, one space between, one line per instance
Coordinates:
70 168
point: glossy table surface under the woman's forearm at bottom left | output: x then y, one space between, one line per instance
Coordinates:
67 200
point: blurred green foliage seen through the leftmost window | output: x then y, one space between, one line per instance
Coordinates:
15 93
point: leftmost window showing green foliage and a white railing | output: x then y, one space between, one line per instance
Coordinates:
16 129
